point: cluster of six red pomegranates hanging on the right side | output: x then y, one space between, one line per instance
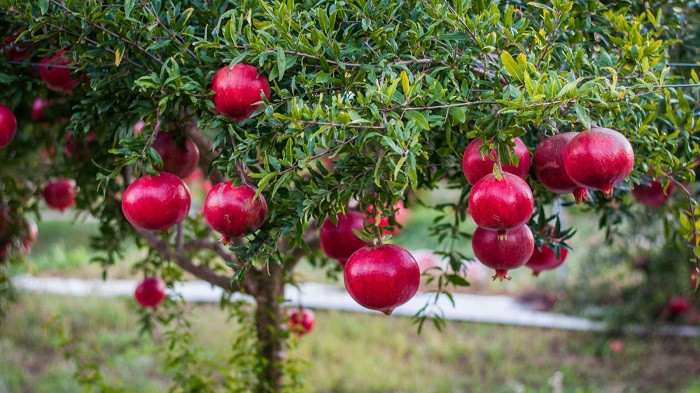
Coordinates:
501 201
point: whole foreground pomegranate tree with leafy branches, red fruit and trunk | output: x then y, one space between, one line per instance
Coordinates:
441 105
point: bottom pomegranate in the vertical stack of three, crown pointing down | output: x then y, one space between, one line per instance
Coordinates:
503 253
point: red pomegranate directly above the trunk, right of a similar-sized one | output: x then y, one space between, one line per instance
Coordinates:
231 210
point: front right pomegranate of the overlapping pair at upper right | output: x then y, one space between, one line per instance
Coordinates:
599 158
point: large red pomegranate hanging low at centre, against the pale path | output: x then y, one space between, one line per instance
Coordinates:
382 278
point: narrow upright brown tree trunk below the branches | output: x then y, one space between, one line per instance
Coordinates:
268 319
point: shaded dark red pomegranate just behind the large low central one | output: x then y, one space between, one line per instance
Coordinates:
339 241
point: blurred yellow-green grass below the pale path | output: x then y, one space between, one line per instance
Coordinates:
347 353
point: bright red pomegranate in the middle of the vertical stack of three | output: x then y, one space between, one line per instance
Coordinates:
503 204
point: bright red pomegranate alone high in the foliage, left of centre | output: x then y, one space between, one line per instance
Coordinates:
236 90
